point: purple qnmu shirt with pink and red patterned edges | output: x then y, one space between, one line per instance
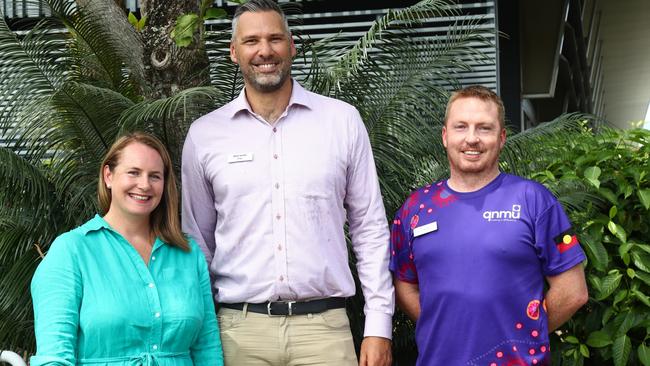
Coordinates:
480 260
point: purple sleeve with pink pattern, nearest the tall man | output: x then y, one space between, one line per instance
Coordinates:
401 256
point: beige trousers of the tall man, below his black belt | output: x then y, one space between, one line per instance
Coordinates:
314 339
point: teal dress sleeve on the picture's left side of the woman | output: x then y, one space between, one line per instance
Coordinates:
56 294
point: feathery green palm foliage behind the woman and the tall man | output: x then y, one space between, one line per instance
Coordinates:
74 82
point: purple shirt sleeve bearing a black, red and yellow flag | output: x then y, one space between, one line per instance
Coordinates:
556 242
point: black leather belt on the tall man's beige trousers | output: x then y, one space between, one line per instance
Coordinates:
288 308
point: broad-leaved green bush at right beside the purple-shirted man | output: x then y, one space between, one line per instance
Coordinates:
612 166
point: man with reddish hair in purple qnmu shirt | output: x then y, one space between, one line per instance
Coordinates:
470 255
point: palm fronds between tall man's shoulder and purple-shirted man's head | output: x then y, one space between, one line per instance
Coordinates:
401 93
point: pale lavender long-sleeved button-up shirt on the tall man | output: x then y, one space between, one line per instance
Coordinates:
267 204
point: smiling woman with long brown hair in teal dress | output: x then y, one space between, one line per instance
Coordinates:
127 287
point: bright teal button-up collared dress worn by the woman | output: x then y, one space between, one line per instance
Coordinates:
97 303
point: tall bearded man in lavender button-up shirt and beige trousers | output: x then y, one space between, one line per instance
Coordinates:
269 181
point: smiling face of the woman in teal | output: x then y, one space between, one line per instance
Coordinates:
137 181
